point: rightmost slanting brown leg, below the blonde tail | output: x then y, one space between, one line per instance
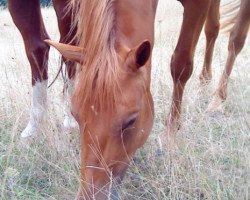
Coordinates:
236 43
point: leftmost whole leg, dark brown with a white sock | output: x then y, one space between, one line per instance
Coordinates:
27 17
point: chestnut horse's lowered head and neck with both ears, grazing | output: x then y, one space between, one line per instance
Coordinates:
112 102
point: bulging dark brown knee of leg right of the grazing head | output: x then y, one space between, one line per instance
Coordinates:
181 67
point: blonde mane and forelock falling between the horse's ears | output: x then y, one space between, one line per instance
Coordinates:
97 81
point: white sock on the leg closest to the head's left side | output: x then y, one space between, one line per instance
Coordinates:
69 121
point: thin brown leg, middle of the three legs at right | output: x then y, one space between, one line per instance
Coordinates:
212 26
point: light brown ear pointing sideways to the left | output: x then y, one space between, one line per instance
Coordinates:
70 52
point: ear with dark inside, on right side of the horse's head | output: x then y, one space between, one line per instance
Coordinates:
138 56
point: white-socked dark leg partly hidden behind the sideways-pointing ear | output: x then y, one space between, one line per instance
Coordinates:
64 18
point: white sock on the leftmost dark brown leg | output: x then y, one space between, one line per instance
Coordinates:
38 109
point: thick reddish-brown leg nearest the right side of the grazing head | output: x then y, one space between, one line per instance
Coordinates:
182 60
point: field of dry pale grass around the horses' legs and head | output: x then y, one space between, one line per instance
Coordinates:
213 159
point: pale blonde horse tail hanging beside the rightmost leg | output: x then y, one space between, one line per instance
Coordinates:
229 14
